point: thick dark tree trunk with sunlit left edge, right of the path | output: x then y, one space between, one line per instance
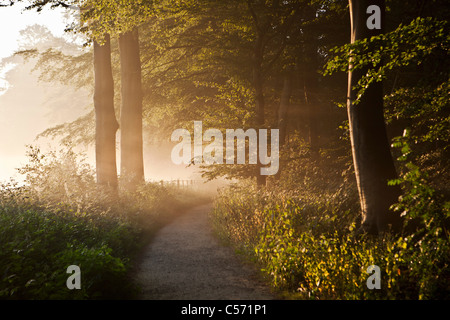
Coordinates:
370 145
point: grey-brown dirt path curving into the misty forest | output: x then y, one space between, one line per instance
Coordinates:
186 261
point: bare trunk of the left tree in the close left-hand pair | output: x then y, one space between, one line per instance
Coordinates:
106 123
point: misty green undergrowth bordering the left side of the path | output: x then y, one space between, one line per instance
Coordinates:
59 217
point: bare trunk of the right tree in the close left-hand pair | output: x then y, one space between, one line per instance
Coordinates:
131 141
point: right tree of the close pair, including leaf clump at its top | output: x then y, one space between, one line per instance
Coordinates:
122 20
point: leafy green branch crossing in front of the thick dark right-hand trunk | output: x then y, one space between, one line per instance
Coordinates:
412 44
